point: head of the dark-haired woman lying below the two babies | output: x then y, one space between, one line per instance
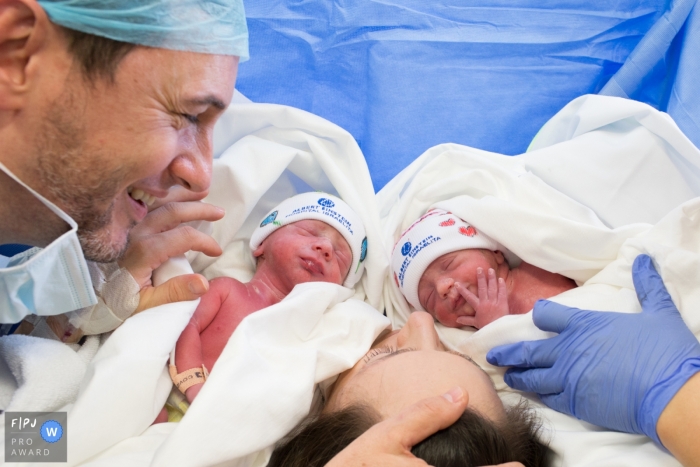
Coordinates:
401 369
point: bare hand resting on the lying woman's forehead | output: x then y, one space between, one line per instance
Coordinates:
389 442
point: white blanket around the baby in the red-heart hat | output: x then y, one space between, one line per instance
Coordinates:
598 188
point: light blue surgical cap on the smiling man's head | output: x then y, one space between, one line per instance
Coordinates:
206 26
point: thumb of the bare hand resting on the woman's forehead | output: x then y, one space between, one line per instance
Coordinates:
424 418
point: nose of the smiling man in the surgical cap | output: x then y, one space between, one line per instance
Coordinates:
192 167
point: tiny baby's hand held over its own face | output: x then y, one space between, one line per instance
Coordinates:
491 304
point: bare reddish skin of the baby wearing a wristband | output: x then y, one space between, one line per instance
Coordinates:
304 251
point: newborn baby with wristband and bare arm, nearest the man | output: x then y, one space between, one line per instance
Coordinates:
311 237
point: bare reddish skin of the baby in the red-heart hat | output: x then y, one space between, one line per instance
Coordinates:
476 287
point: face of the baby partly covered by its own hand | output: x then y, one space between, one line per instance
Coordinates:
436 291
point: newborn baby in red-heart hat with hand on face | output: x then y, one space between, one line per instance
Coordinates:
442 265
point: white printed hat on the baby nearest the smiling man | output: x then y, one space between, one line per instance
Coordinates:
325 208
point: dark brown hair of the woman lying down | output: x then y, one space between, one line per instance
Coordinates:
473 440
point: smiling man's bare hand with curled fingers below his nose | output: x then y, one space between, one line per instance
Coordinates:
161 236
